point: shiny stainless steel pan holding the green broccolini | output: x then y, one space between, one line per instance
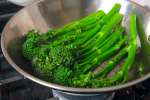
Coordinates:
47 14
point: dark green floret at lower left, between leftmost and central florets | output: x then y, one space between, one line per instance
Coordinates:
42 64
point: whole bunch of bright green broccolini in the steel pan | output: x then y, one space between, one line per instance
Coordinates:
70 55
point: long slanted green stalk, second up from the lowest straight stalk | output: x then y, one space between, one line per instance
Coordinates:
96 60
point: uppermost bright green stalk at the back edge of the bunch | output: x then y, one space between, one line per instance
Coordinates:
83 24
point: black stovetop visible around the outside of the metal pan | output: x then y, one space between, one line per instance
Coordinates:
14 86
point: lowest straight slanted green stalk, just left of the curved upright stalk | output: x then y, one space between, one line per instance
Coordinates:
111 63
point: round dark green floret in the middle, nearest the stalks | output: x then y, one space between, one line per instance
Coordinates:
61 56
